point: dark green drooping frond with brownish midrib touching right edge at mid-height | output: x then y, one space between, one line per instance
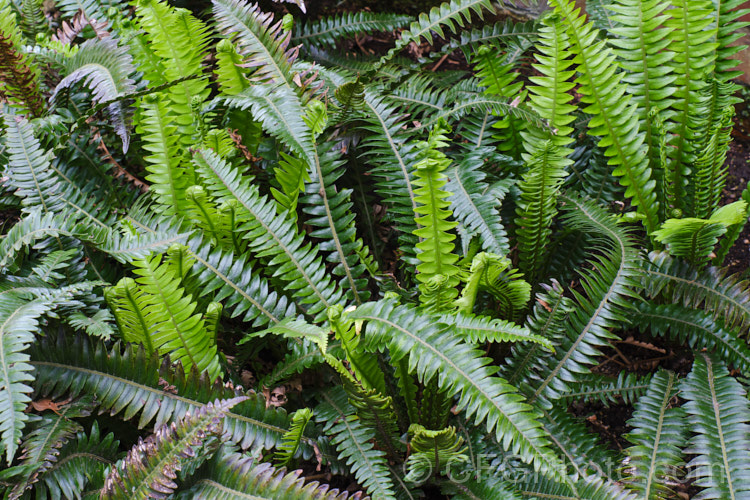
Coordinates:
708 289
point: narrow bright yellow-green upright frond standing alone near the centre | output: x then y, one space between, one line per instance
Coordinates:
435 248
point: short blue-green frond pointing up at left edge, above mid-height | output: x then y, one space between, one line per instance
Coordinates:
29 169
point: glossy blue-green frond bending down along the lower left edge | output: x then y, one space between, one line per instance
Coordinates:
19 320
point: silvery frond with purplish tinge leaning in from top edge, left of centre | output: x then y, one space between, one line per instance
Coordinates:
263 44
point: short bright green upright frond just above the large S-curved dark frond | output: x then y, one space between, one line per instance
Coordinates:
538 205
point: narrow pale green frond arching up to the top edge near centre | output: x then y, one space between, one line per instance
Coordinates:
447 15
